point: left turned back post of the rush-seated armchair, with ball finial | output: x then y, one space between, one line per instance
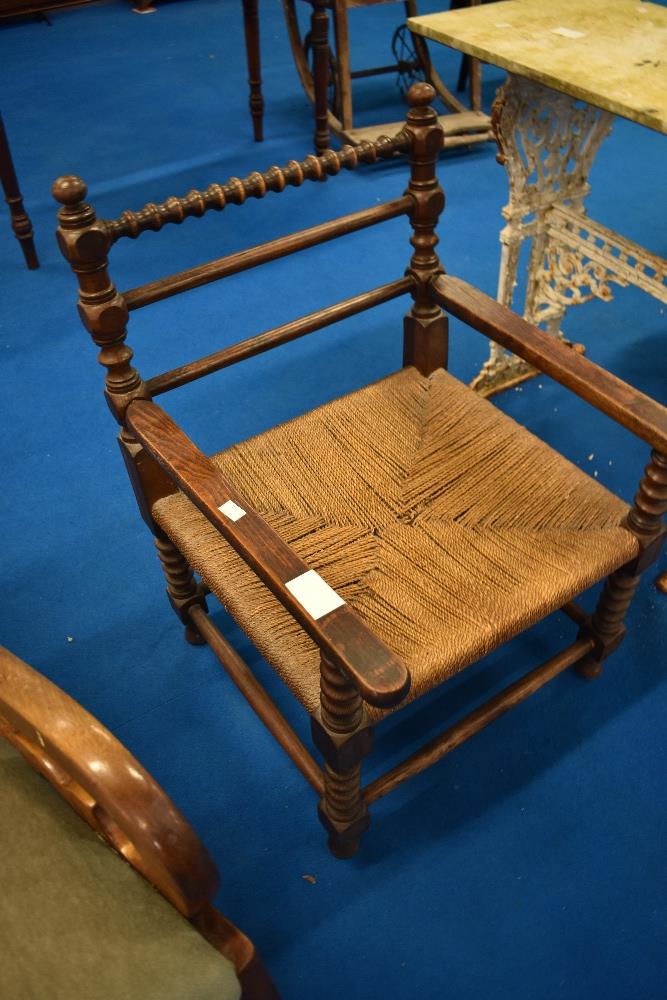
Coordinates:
84 243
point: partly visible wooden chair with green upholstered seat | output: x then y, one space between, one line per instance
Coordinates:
74 920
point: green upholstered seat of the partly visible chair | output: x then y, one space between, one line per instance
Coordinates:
76 921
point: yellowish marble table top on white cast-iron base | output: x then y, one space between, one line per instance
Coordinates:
610 53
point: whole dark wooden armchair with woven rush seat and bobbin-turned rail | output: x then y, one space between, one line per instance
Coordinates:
441 527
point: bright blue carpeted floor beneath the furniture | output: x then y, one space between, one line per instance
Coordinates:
531 862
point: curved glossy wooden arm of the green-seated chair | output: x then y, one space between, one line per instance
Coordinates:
104 783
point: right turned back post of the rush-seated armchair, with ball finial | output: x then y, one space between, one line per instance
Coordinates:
425 330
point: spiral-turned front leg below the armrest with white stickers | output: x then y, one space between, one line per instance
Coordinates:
343 737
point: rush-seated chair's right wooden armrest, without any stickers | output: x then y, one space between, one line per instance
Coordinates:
626 405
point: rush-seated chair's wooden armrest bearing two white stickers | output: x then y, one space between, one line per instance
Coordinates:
381 678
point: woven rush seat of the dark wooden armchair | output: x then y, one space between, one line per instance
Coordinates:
447 526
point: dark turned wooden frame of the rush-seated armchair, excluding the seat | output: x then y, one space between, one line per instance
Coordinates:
355 666
